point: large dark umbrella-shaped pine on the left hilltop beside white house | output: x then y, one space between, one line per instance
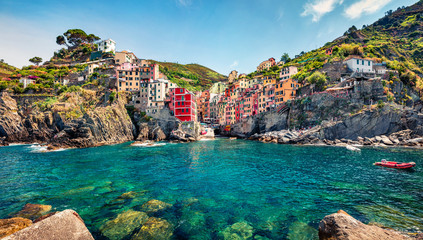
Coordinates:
74 37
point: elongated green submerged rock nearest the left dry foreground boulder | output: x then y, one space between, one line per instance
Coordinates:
123 225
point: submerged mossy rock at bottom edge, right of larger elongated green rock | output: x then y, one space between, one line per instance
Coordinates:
154 229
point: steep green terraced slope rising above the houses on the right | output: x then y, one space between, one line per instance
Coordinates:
396 39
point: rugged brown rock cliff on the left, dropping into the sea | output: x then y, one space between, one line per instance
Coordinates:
96 125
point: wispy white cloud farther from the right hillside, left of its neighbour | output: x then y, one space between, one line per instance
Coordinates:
319 8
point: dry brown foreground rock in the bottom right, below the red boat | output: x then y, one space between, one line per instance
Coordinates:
342 226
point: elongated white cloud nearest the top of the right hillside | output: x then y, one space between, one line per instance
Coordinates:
365 6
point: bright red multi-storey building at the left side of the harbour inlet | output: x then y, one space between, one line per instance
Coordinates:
183 104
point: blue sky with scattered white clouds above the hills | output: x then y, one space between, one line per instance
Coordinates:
220 34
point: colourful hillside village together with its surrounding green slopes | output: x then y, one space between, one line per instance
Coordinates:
338 69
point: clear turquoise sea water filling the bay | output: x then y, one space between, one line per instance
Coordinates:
281 191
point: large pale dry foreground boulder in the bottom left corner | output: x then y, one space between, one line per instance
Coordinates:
65 225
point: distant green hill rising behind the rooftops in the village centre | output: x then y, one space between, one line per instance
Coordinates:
191 76
